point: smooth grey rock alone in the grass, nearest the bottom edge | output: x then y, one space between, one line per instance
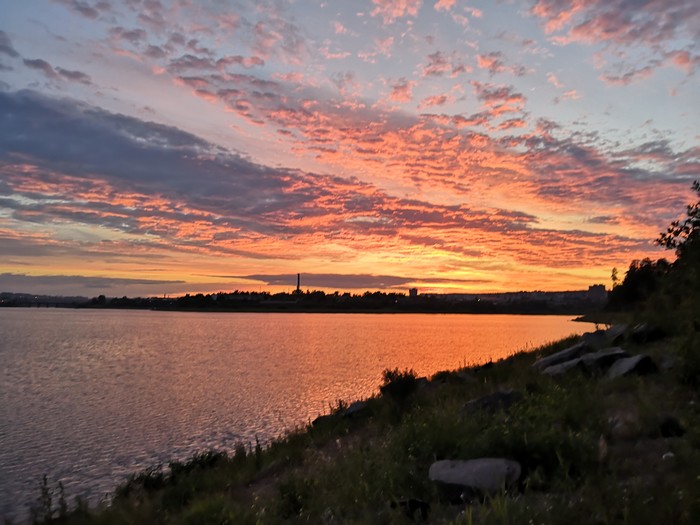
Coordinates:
476 476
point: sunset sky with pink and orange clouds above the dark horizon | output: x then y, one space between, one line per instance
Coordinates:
152 147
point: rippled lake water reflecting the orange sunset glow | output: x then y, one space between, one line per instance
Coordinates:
90 396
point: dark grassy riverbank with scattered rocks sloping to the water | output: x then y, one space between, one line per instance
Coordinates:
588 448
